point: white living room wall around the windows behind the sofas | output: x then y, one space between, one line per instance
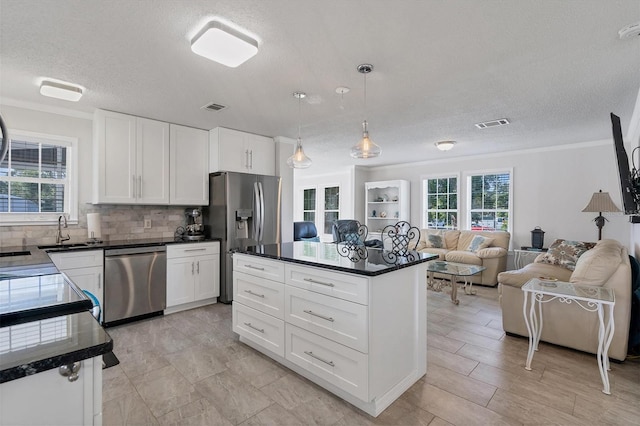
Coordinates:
550 188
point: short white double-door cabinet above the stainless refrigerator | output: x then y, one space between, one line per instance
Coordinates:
236 151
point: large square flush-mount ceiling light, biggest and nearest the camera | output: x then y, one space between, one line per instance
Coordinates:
223 44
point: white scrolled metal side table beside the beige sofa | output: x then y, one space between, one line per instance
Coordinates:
589 298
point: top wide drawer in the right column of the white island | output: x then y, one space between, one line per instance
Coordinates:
343 286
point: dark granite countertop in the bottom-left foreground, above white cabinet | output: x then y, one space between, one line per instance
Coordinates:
42 345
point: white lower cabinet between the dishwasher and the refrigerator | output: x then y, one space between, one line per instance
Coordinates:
193 274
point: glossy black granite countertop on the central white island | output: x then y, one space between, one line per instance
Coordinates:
327 256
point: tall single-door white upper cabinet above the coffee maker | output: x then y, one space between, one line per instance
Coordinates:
189 177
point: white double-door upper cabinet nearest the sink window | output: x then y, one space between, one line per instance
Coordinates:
131 159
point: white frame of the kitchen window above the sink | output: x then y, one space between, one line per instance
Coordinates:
71 189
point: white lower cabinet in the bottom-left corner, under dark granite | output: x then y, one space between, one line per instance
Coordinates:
47 398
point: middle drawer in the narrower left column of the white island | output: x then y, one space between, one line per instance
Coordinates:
264 295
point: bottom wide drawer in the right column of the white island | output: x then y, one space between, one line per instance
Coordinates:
341 366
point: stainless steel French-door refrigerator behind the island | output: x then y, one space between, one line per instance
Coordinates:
243 211
